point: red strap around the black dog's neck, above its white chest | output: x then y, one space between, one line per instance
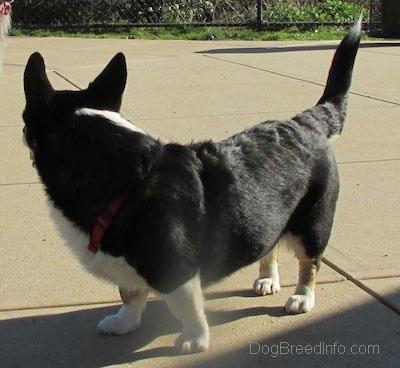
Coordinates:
103 221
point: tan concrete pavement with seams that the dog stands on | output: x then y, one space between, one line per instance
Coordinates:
183 91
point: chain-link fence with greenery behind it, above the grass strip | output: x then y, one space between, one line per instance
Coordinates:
64 14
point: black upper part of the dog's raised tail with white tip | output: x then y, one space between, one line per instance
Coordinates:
339 78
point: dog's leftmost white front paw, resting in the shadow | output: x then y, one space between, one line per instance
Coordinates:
119 324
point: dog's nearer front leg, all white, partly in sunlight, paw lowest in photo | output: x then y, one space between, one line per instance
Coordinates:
186 303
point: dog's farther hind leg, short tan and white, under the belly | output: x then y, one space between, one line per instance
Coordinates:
268 280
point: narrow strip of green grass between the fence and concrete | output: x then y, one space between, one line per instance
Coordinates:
198 33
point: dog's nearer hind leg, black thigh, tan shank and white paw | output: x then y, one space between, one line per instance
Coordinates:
309 231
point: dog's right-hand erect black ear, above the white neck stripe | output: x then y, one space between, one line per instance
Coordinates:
108 87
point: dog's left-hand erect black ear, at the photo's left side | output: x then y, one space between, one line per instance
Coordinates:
38 89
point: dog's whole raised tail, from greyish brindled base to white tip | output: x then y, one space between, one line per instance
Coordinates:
331 107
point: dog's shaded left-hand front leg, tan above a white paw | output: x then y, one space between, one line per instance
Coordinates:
129 316
